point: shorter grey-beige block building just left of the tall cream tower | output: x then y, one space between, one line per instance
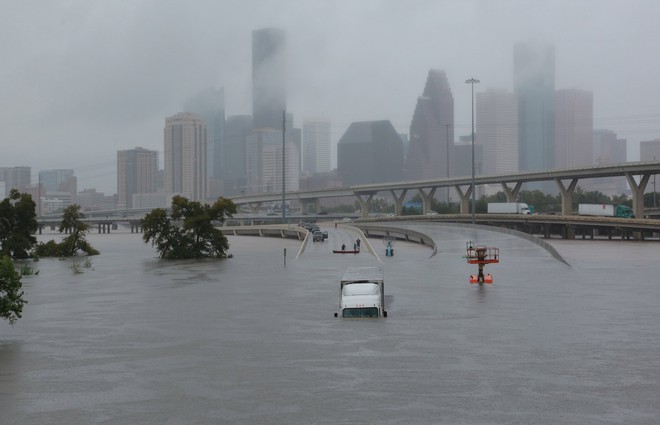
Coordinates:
137 173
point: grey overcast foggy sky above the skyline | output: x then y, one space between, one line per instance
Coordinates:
81 79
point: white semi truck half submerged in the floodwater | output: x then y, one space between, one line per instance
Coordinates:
362 293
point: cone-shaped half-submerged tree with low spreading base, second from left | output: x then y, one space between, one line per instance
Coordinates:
76 229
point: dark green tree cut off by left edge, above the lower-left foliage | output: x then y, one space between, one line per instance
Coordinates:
18 223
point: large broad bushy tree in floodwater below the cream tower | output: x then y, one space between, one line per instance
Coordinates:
189 231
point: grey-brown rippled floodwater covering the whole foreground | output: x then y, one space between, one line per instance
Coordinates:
134 339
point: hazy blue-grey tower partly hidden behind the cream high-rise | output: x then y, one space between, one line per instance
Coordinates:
210 105
